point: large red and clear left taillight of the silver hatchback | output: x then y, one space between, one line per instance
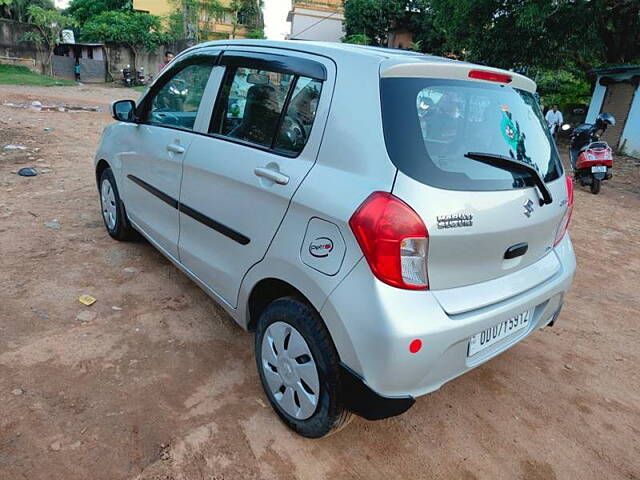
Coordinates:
394 241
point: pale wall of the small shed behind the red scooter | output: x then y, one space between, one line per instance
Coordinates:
630 138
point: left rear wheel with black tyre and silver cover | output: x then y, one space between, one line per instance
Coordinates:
298 367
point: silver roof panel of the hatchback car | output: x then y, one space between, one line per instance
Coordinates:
391 61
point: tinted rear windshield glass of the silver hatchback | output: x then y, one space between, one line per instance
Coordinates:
430 124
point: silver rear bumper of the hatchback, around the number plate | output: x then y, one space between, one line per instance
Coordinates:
372 325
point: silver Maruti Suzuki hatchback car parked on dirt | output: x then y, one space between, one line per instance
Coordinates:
383 221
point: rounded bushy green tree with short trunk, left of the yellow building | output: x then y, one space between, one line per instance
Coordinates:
136 30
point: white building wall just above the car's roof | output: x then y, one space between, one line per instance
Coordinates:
316 24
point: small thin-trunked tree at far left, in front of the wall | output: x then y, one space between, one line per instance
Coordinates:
46 36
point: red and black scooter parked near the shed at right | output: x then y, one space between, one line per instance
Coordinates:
592 160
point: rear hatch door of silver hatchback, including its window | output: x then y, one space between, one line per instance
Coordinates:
484 221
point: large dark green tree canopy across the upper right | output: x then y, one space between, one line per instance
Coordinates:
517 34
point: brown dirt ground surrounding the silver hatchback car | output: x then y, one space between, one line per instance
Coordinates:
154 381
